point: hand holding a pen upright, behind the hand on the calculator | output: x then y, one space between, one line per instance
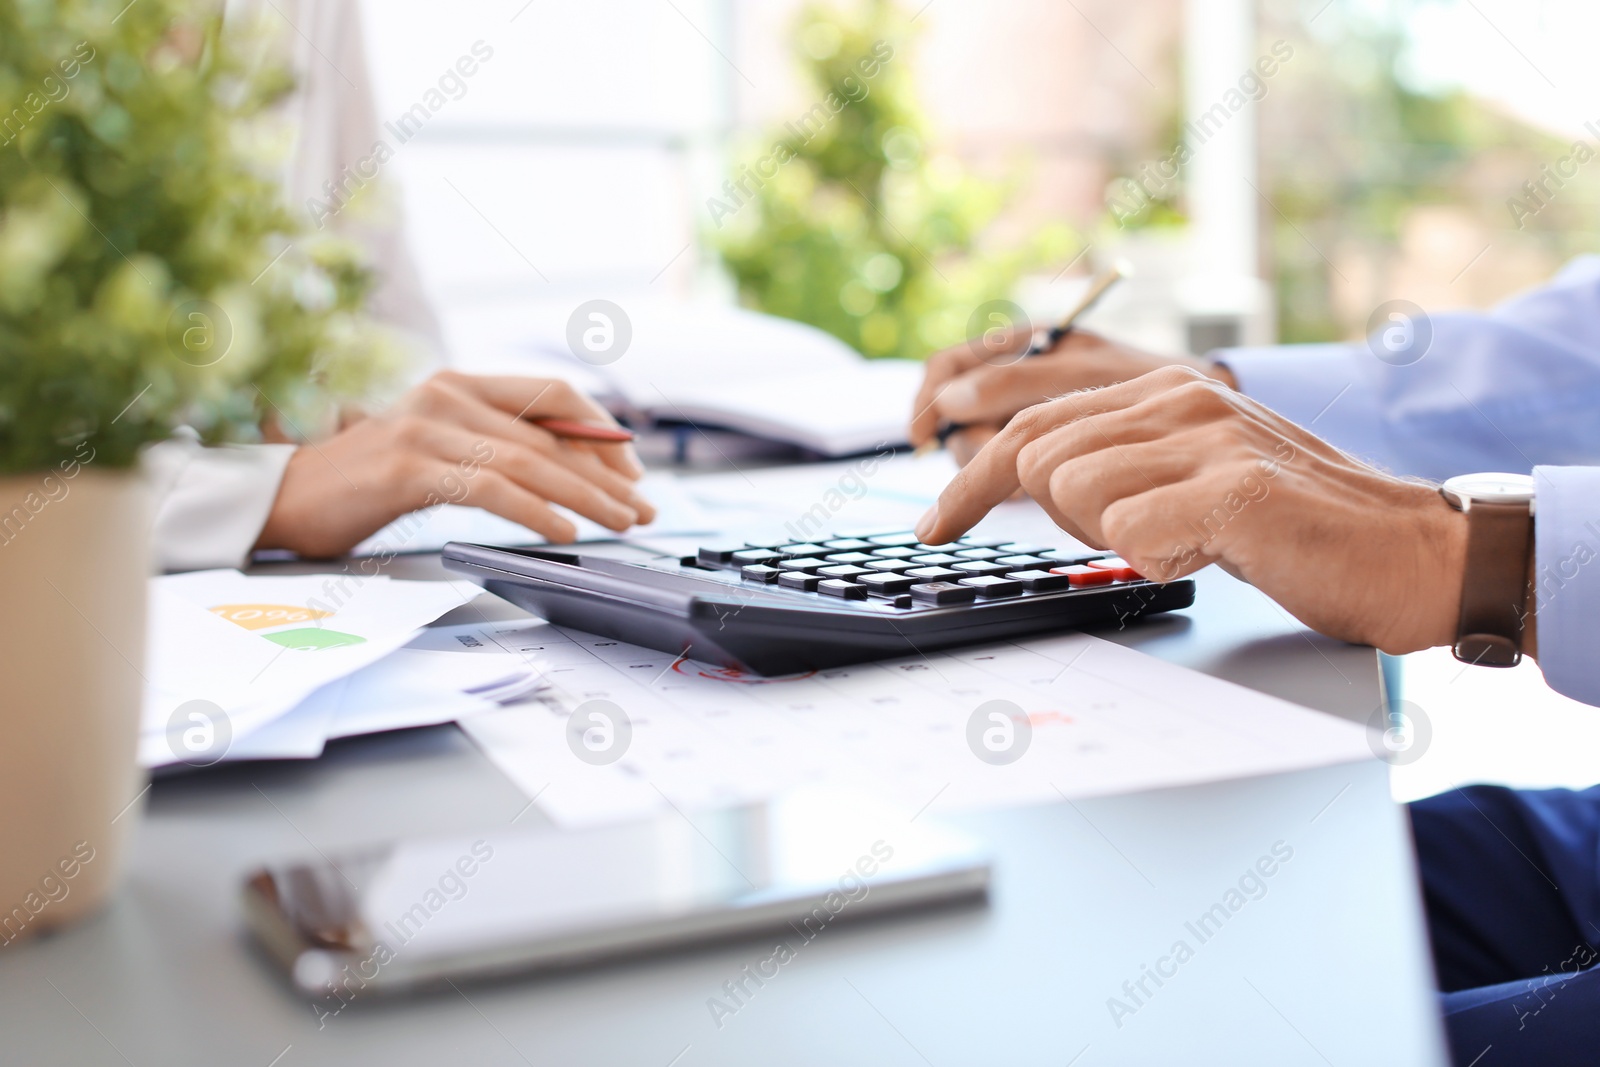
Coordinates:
982 385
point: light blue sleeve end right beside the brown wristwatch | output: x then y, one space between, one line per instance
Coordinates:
1567 578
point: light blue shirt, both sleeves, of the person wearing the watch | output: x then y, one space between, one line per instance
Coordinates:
1513 390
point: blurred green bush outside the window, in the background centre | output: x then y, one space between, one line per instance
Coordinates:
844 220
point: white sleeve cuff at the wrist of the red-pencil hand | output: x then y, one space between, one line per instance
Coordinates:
212 503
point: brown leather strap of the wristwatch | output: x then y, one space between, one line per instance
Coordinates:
1495 588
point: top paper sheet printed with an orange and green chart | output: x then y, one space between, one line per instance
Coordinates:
258 647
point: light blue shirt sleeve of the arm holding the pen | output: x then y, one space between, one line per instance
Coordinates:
1487 391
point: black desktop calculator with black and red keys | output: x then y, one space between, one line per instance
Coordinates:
774 607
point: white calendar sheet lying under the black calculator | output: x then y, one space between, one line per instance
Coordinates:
1103 721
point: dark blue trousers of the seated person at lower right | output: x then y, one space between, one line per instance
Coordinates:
1513 890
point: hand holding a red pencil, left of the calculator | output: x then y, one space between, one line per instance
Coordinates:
457 439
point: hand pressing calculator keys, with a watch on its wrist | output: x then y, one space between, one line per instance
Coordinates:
1175 471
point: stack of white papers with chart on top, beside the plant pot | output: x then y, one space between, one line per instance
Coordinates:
273 668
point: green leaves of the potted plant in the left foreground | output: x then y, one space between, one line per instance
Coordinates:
135 183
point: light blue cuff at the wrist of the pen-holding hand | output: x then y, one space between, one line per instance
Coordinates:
1326 388
